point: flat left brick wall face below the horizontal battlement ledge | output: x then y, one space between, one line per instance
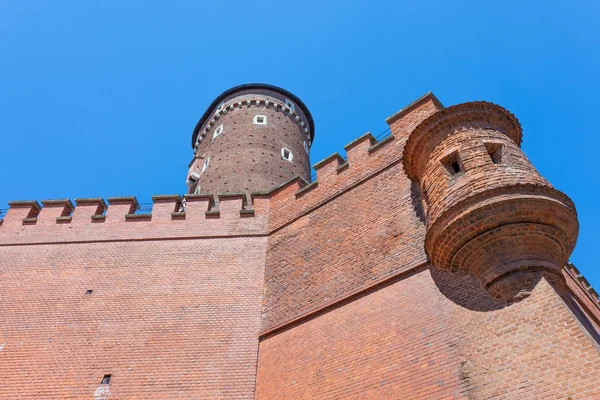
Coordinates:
168 319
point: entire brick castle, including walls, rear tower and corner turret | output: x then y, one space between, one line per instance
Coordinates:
428 265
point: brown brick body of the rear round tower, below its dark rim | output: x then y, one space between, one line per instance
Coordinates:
246 157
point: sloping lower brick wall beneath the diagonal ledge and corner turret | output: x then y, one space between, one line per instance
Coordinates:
421 338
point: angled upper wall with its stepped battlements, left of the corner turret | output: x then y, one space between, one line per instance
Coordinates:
361 223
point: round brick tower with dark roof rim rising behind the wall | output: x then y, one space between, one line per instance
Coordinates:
252 138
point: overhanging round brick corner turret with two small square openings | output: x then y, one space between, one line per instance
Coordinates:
488 211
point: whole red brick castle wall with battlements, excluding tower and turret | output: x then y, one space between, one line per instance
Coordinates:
313 290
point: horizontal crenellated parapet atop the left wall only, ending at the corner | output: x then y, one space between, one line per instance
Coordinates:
96 219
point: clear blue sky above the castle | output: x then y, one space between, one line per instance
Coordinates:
99 98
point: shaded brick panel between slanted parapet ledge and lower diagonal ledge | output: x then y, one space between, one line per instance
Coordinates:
344 245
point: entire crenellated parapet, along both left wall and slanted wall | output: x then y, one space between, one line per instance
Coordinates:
118 218
